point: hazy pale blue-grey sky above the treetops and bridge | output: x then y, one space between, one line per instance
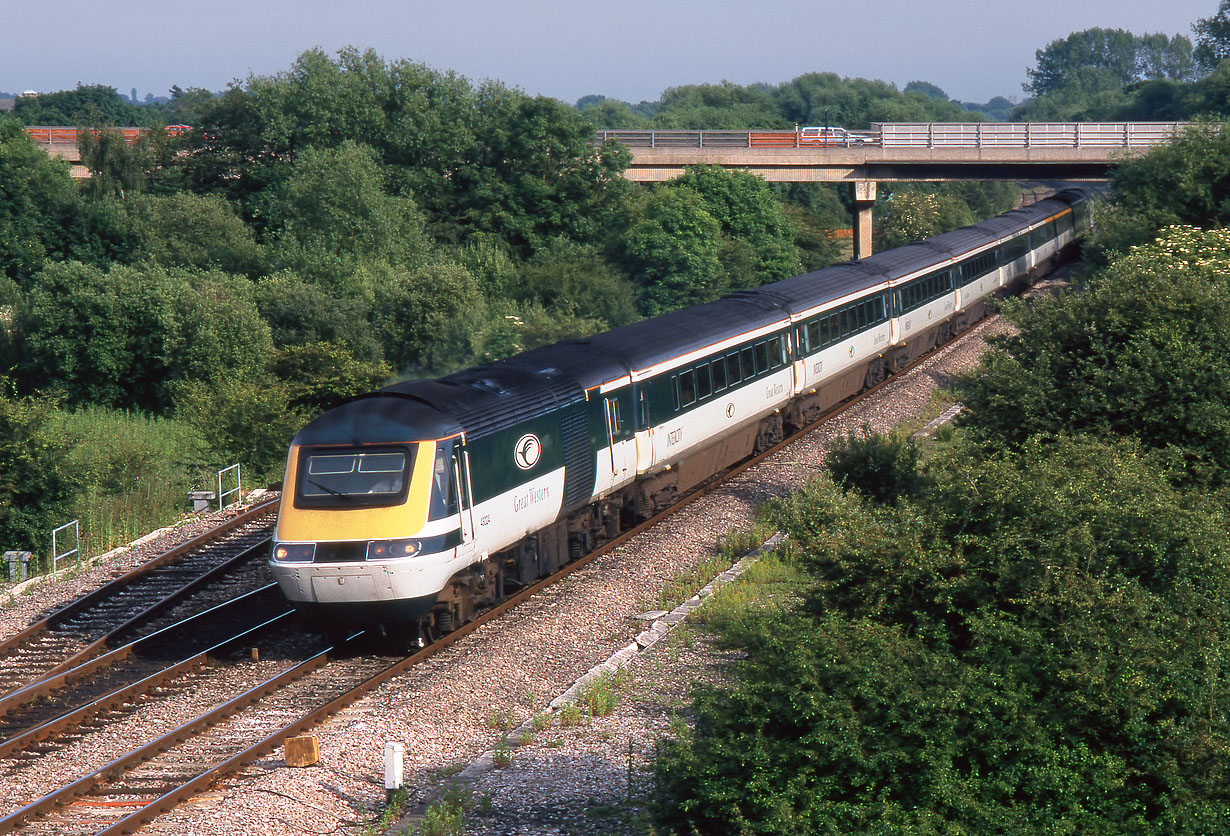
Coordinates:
629 50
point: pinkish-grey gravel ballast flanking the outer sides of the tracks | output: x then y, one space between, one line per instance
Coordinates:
454 709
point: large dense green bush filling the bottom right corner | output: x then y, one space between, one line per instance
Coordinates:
1028 651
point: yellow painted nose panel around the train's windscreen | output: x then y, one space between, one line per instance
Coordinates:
329 524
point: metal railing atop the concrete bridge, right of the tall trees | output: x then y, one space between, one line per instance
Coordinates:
919 135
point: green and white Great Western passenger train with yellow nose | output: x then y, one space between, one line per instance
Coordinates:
409 508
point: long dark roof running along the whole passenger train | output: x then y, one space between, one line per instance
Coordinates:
486 399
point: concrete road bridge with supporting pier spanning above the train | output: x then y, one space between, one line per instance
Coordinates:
897 153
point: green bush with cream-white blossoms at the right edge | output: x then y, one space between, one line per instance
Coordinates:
1140 353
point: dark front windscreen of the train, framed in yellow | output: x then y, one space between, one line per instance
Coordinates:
354 478
